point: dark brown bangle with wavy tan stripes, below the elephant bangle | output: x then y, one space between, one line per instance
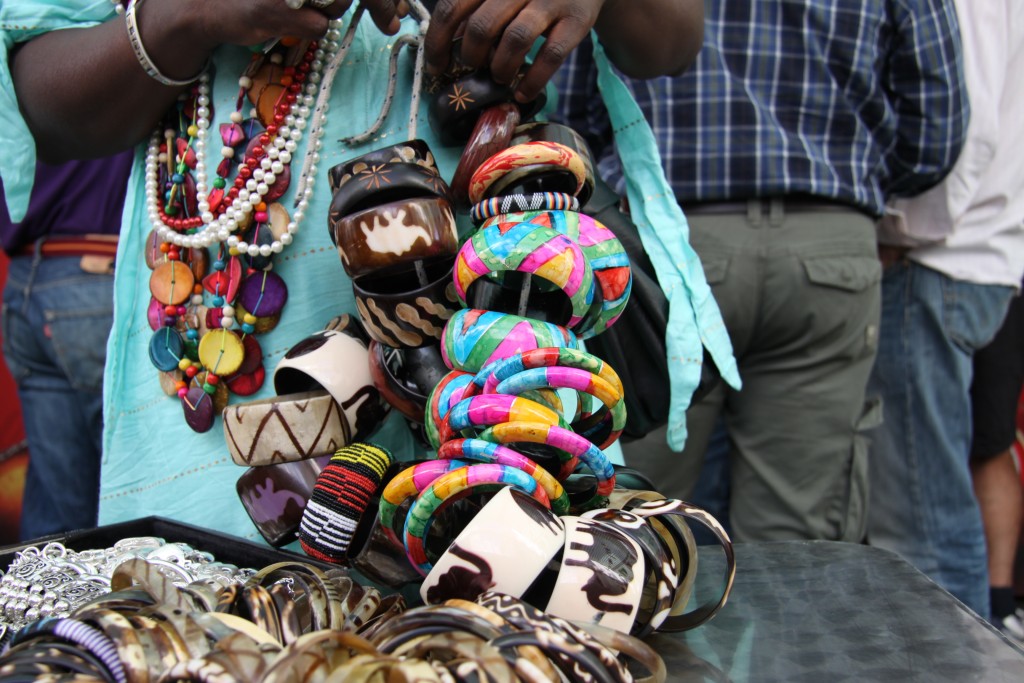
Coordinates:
401 311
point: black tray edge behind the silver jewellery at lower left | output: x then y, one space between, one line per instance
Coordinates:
225 548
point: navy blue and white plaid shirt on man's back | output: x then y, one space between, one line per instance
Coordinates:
857 102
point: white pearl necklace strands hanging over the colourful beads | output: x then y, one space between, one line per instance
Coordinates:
279 153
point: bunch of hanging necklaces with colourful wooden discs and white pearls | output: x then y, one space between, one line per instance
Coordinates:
196 346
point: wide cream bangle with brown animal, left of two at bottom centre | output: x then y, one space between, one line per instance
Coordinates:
505 547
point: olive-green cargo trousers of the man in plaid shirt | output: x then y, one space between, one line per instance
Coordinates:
798 286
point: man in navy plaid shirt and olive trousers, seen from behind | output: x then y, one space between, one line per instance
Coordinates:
783 144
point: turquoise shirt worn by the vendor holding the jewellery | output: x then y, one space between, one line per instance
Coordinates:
153 463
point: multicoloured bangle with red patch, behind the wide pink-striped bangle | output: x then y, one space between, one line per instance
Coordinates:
607 255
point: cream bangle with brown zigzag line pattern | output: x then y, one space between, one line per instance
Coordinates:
285 430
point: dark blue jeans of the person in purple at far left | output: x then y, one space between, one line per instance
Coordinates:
56 321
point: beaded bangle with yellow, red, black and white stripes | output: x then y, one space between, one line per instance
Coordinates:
340 499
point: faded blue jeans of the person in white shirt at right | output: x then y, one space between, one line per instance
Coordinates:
922 501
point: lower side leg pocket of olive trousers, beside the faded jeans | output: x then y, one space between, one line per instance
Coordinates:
848 515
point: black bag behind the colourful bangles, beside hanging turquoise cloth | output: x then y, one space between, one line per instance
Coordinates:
634 347
